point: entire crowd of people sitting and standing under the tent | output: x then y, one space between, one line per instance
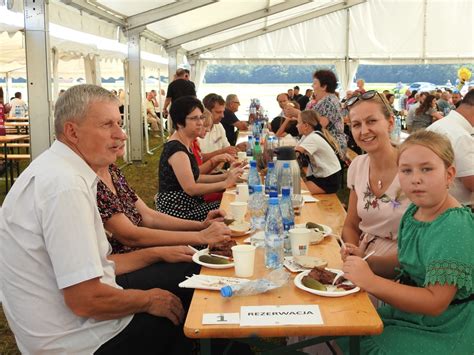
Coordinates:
81 248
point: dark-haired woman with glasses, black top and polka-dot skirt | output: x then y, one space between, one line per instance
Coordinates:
181 186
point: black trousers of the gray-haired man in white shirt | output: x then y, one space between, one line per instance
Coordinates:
147 334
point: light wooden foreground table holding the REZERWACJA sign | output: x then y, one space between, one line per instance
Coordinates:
352 315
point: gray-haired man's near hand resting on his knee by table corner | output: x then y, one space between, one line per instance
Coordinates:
164 304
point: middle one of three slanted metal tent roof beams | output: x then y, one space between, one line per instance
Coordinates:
234 22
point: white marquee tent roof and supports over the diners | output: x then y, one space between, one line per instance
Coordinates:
345 33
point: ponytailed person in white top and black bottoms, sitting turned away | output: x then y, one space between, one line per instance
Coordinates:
324 170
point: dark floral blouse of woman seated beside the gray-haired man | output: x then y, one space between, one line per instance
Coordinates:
124 202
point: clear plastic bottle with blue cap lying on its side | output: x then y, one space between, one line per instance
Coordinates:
274 279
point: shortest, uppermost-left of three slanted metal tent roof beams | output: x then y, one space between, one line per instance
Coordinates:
164 12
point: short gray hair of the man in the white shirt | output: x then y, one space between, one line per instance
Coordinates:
74 104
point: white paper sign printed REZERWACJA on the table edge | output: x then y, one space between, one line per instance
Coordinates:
280 315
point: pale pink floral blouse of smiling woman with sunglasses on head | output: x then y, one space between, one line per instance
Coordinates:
379 216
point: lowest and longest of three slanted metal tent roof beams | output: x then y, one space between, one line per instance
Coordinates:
293 21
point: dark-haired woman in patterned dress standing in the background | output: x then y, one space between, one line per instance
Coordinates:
327 106
